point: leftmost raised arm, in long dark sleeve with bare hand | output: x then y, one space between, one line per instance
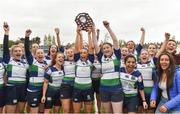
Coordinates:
6 54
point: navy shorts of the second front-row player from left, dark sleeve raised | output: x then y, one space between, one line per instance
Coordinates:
34 98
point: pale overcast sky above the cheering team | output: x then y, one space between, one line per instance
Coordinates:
125 17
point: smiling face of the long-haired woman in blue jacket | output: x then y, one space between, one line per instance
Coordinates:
164 62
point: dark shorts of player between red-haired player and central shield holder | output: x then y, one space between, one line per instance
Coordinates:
66 91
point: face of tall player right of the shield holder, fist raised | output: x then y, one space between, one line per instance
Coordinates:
107 50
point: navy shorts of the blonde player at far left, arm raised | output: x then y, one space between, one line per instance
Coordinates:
15 94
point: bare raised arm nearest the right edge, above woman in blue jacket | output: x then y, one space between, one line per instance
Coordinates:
163 46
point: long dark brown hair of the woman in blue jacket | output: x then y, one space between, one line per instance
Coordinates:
170 70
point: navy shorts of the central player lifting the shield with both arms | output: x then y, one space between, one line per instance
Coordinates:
83 95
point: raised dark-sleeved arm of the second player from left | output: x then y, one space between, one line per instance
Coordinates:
28 54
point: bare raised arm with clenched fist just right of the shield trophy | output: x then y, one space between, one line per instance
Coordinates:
113 36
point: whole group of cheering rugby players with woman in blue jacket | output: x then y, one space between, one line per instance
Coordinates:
68 79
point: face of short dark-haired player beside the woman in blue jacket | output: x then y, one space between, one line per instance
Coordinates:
130 64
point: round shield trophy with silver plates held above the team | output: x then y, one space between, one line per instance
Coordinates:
84 21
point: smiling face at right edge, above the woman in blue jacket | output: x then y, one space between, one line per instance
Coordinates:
171 46
